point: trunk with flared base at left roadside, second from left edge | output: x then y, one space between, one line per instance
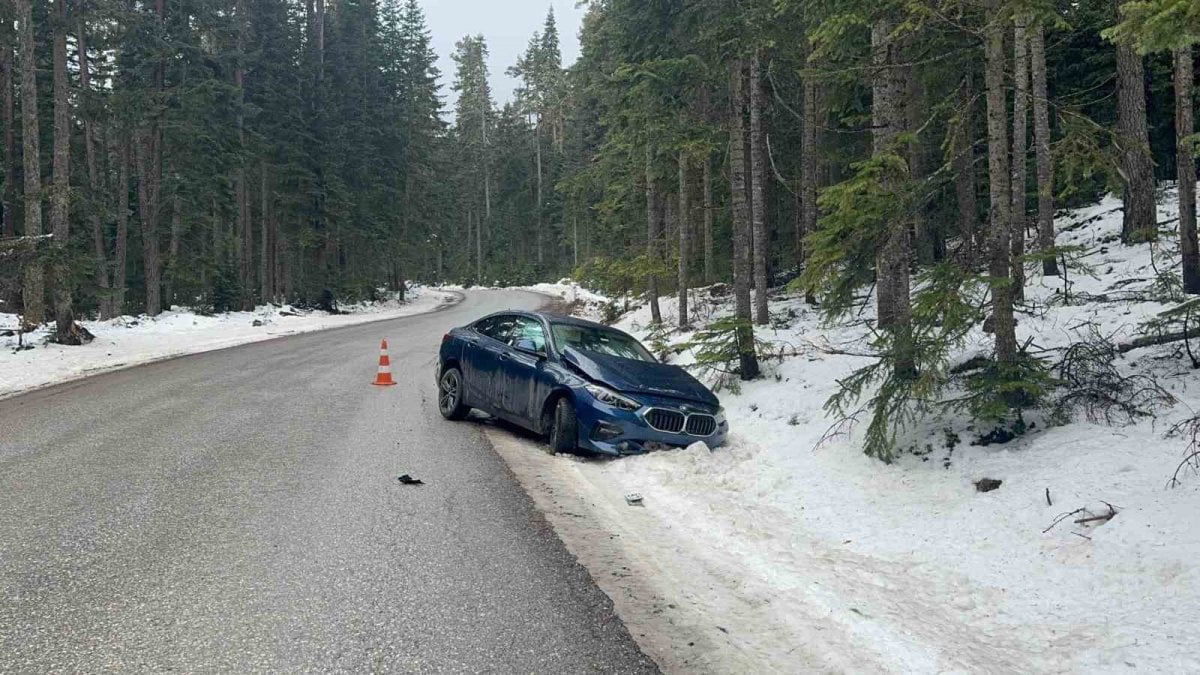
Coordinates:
61 196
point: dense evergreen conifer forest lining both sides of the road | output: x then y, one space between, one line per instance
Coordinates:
910 154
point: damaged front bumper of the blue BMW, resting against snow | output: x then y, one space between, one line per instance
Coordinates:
609 431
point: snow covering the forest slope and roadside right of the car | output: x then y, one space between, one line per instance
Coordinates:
801 553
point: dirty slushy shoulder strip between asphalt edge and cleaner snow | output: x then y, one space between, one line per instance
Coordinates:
681 607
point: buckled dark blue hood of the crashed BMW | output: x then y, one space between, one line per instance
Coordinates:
640 378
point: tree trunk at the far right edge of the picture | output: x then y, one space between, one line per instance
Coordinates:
1186 168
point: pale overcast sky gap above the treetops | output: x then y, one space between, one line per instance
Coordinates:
507 26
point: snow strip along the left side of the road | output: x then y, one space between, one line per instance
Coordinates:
129 341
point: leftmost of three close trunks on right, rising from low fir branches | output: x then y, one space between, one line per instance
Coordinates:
1000 182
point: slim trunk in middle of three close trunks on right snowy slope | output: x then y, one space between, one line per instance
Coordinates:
1021 150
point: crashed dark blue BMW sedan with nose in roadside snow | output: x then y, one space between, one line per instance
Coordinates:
584 385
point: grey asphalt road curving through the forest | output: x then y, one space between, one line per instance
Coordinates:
239 511
